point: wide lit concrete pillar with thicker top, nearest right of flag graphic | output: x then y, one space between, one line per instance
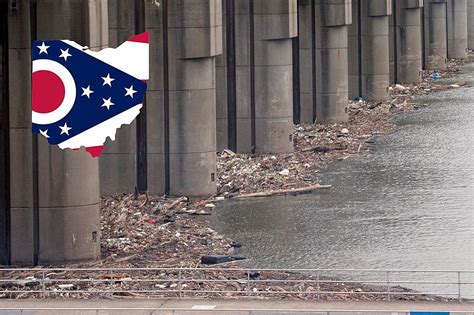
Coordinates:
195 39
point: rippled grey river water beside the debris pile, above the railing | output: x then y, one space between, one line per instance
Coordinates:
408 204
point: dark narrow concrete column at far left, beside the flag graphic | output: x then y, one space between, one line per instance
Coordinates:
21 179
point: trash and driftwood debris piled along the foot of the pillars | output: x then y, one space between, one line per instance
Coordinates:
142 230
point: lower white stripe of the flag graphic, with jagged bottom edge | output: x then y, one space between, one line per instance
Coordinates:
98 134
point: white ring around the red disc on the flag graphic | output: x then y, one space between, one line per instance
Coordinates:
69 92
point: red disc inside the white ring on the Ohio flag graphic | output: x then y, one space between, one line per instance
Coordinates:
48 91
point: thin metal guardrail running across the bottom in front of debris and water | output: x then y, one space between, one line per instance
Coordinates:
323 284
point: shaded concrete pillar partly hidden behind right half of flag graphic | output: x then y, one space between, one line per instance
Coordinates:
118 160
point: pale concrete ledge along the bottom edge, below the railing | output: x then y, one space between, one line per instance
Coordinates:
228 307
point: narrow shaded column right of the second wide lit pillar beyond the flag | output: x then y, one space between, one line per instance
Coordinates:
306 38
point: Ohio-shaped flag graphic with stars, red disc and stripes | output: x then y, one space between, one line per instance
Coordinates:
81 97
